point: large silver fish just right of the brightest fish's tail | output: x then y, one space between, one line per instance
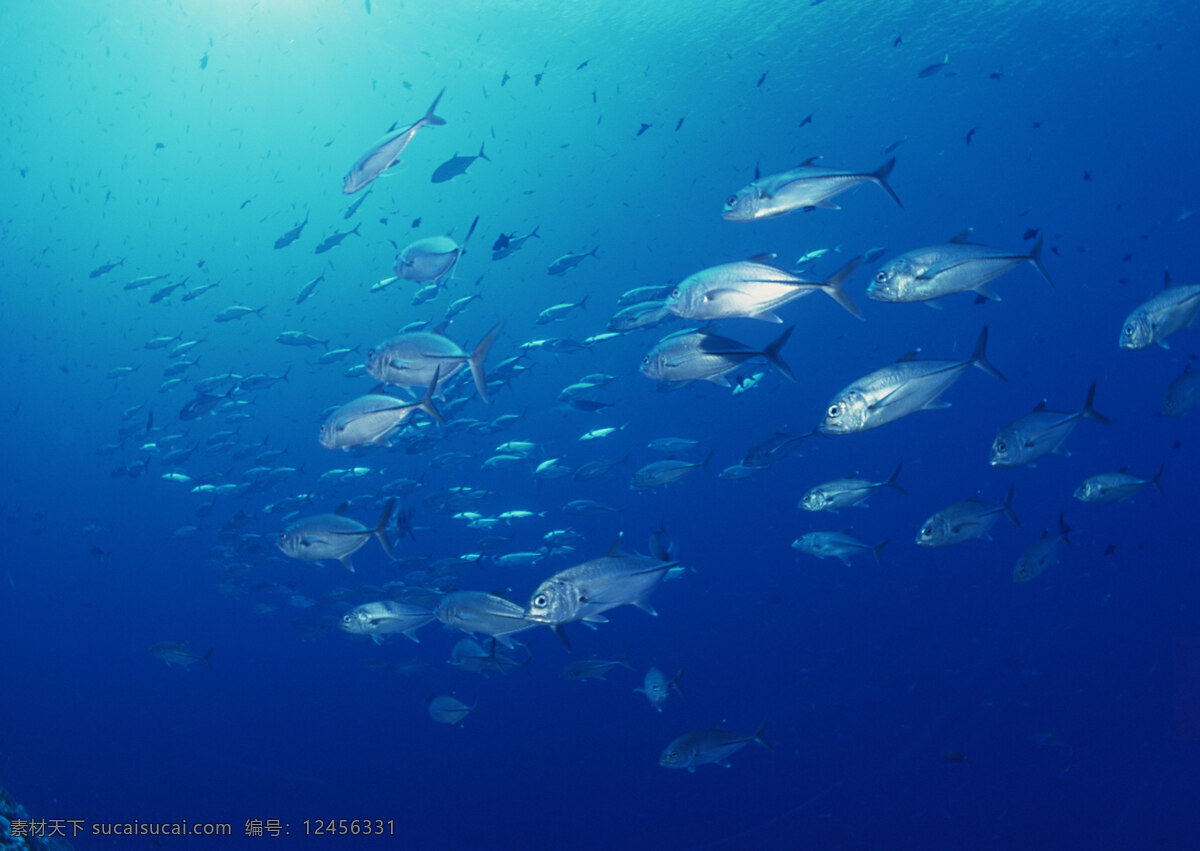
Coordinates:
956 267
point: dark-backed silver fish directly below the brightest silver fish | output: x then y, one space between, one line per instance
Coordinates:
705 356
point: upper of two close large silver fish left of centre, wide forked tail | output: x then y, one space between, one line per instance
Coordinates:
412 359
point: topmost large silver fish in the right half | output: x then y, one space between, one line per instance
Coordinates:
806 188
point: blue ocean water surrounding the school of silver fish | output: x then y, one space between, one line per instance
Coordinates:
927 703
